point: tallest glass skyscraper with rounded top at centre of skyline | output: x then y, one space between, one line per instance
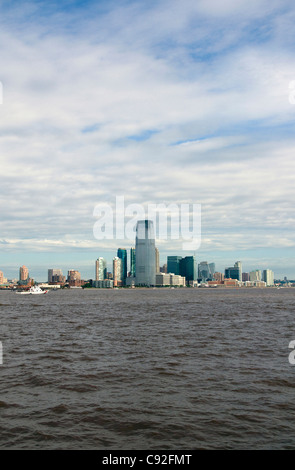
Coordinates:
145 254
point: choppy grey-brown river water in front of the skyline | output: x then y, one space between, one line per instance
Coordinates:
148 369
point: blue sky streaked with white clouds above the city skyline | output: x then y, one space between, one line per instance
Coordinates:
159 102
